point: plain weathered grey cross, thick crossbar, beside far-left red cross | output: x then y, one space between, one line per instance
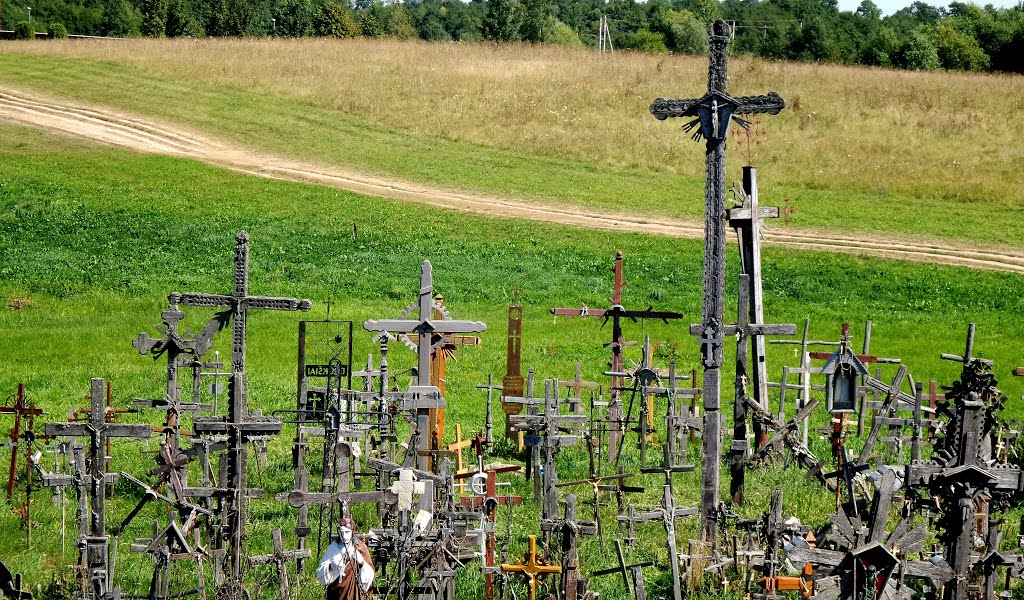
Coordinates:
95 555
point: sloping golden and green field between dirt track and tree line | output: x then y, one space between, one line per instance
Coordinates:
881 153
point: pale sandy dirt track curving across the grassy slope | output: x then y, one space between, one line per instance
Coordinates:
146 137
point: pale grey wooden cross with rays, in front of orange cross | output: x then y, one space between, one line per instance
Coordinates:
426 325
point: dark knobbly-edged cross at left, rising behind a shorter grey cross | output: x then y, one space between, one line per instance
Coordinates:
240 303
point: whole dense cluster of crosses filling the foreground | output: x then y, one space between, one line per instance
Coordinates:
920 487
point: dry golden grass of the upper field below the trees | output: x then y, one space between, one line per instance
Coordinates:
950 136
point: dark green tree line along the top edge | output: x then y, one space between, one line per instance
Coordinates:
960 36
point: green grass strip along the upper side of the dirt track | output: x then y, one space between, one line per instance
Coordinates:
304 125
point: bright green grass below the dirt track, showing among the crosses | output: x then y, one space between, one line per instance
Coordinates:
96 238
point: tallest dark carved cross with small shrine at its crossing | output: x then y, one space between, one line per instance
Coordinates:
711 114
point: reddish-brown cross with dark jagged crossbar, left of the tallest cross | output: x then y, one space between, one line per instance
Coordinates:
617 313
